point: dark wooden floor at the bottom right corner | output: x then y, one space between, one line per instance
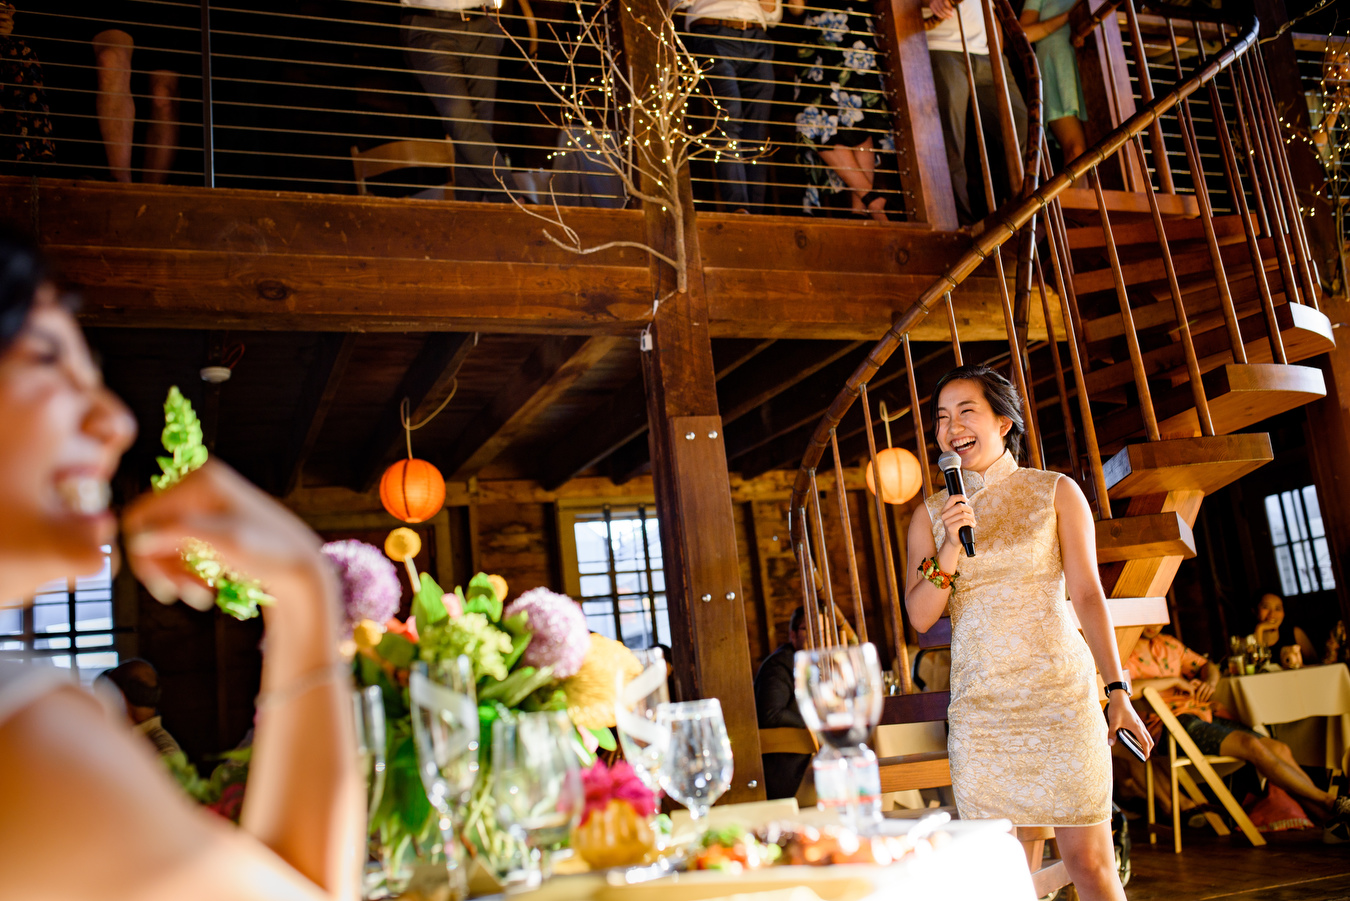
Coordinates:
1295 867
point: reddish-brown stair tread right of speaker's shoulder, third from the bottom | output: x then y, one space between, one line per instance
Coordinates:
1186 464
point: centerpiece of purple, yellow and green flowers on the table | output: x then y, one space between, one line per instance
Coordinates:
531 654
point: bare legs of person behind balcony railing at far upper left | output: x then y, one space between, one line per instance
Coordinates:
118 111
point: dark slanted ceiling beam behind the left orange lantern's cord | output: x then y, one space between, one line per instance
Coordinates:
425 384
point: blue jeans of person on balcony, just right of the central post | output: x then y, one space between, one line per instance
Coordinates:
743 82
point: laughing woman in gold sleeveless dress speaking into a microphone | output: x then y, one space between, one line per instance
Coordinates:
1028 741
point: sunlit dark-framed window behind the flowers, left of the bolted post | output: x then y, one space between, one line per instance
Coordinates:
619 579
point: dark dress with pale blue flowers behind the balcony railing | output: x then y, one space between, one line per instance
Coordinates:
839 86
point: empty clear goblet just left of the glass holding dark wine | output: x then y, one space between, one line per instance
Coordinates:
697 769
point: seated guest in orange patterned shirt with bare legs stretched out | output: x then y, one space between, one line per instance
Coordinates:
1186 681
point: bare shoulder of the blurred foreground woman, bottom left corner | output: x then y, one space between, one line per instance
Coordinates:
90 813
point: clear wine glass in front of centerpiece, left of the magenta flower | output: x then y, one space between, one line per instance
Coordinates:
538 783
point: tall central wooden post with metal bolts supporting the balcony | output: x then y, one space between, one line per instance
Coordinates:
691 479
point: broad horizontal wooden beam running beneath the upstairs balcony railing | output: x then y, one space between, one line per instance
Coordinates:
175 257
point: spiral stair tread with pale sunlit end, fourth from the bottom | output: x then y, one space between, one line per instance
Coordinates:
1239 396
